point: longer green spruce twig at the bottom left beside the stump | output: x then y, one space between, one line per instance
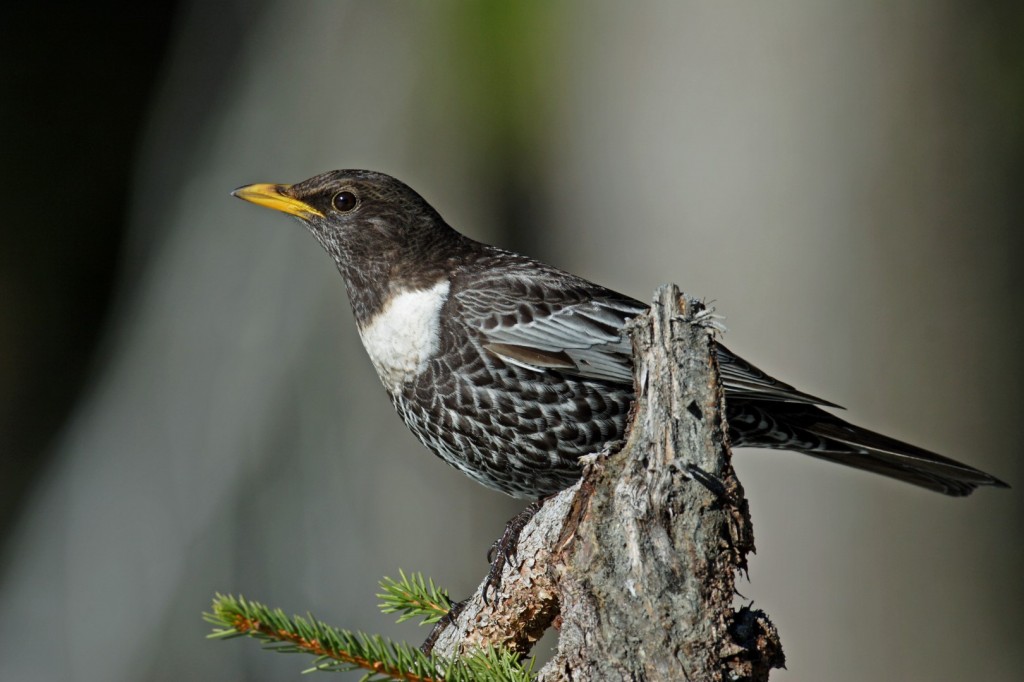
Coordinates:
338 651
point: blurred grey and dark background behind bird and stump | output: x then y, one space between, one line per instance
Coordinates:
185 406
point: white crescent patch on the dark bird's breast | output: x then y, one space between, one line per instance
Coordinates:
404 335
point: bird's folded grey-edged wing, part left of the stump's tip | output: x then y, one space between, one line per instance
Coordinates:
566 325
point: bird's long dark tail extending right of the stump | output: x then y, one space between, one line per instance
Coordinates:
814 432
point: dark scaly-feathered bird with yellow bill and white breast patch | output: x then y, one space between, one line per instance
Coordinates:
511 370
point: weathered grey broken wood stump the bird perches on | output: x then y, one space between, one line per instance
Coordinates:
636 564
